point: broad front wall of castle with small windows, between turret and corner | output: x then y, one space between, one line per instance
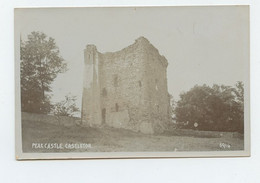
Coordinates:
122 87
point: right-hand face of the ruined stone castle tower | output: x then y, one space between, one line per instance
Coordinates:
156 91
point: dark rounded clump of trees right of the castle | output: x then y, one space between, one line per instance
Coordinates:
212 108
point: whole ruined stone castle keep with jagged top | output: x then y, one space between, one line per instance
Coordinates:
126 89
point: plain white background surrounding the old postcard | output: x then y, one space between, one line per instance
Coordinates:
239 170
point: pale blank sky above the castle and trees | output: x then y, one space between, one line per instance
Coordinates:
203 45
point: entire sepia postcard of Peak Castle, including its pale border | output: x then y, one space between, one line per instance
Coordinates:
132 82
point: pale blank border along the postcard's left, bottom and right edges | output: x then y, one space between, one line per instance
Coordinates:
94 155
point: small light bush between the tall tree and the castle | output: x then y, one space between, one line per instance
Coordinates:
66 107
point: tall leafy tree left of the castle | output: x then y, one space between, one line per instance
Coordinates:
40 65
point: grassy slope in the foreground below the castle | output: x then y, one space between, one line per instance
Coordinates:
120 140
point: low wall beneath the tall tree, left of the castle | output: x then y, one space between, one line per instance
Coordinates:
56 120
